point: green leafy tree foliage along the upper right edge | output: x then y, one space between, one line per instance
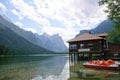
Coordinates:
113 11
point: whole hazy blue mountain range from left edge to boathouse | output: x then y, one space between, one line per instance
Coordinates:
53 43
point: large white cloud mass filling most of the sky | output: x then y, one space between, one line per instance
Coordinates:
83 13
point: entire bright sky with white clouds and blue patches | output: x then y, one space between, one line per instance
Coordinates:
63 17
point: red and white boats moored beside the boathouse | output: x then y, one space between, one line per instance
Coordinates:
101 64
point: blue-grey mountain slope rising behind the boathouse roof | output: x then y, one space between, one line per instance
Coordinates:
104 26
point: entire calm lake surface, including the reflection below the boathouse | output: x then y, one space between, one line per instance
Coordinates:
49 67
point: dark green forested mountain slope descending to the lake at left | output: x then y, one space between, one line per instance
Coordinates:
16 44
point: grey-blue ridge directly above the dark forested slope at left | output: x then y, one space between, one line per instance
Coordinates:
26 34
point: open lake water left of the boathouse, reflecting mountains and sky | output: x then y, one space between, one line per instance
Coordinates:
34 68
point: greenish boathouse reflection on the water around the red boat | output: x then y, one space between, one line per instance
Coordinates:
79 72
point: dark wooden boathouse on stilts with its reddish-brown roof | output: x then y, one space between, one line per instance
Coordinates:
87 46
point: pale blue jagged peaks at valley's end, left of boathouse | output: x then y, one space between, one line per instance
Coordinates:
54 42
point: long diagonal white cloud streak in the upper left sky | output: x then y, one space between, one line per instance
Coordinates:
26 10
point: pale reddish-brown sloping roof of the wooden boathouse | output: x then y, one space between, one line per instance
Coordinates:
87 36
